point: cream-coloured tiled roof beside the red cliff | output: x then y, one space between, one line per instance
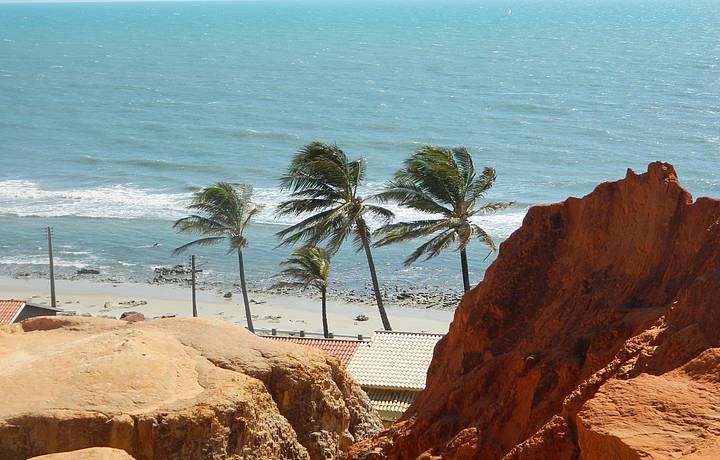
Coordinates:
394 360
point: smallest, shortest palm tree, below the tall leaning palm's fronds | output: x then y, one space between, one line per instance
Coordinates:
308 266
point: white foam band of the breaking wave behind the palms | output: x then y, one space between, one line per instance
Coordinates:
26 198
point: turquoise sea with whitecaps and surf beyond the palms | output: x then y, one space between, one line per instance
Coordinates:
112 114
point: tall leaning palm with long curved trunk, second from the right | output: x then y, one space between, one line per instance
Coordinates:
324 184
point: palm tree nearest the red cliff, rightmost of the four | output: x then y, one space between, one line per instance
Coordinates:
442 182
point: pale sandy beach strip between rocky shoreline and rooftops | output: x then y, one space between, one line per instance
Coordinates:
284 313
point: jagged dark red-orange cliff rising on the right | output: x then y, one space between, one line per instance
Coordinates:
596 316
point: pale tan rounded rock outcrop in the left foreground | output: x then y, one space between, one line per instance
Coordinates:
172 389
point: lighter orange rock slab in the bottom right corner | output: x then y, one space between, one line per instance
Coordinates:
672 415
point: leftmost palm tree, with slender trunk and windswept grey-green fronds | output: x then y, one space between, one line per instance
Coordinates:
222 212
